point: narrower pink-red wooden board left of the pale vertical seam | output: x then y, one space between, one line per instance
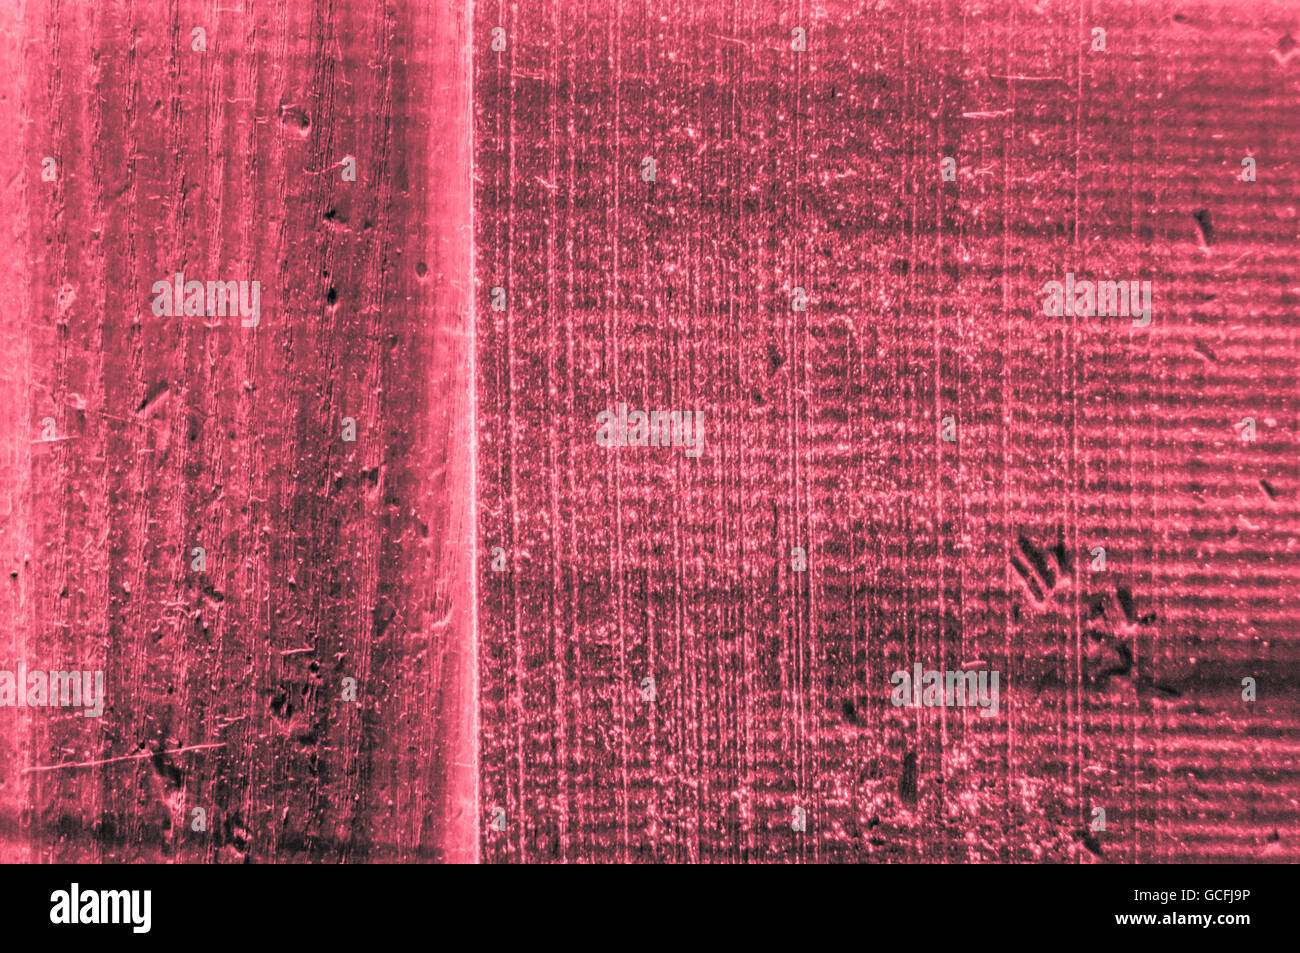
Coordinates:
324 560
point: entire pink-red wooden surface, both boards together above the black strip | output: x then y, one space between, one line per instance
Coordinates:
648 669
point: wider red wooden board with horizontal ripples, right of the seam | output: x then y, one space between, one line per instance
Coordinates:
774 170
